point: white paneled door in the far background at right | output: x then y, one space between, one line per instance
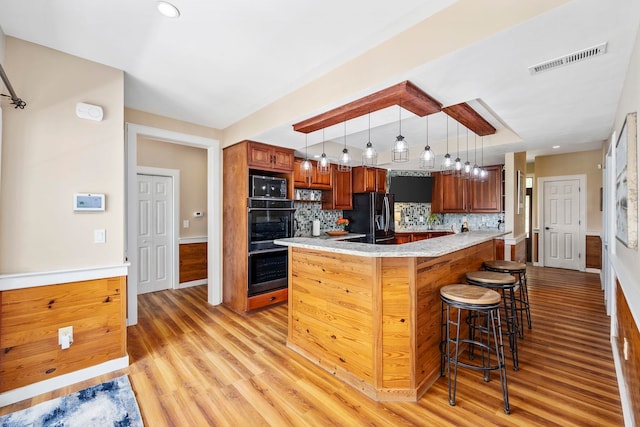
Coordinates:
561 224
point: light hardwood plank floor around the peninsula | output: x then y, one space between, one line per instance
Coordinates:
193 364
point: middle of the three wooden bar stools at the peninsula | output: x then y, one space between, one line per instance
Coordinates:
505 284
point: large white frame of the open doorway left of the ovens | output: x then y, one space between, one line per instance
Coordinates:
214 208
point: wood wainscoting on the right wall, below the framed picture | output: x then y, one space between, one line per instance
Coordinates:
628 330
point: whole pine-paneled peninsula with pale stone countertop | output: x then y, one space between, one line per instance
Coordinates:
370 314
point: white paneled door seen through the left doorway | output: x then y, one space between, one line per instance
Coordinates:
155 225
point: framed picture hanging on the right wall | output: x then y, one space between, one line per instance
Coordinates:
627 183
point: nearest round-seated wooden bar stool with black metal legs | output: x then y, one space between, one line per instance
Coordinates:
485 303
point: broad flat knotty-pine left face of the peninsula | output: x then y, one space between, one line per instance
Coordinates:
330 312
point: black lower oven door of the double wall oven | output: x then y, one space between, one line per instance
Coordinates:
267 271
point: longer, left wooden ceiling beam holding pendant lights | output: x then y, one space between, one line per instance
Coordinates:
405 94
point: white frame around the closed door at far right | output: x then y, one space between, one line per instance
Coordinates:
583 212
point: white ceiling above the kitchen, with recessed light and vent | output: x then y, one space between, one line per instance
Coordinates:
223 60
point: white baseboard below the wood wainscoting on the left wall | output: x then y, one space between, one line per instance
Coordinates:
32 390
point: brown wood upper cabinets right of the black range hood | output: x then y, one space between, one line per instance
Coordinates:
454 194
